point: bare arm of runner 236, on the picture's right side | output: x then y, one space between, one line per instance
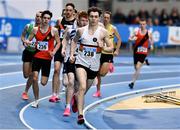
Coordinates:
57 39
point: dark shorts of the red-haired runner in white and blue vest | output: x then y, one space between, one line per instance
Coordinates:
68 67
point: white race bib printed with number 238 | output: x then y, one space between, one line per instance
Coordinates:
89 52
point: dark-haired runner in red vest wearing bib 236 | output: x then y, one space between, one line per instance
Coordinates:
45 36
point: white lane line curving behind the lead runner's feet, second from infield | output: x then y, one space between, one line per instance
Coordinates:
117 83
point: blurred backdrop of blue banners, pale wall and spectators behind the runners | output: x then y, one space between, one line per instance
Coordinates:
163 18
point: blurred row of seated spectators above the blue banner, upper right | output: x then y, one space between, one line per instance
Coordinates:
154 18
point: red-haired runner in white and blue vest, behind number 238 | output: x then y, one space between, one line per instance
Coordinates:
69 68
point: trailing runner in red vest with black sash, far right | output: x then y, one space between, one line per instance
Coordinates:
142 38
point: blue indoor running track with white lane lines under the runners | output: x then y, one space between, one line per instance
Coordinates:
17 114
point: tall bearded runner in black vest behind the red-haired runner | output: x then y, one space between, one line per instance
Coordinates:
67 21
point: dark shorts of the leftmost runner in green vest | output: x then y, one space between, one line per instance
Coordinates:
27 56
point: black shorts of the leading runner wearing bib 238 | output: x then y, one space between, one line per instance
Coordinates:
90 74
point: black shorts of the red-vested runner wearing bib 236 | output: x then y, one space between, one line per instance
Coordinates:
43 65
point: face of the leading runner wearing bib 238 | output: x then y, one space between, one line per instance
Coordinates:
94 18
